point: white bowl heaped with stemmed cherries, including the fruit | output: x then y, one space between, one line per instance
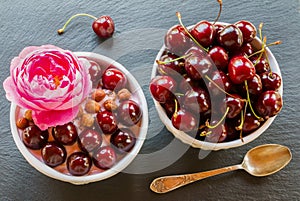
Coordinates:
216 85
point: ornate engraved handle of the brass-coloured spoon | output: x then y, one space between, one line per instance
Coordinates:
169 183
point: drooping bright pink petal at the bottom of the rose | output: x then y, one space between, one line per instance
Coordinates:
45 119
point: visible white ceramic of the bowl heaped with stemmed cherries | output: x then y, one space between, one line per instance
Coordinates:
223 145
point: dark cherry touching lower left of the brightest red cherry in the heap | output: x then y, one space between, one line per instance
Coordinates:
222 80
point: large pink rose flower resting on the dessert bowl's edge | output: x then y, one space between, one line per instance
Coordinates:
51 82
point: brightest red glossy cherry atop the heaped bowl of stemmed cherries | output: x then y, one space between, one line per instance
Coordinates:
240 69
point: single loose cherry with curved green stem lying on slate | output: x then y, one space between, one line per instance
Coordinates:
103 26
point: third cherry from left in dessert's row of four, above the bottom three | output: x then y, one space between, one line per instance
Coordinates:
89 140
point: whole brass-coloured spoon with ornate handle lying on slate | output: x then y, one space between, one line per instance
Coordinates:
260 161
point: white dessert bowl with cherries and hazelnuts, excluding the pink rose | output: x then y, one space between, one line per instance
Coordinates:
101 141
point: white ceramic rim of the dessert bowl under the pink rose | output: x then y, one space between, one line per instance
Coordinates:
123 163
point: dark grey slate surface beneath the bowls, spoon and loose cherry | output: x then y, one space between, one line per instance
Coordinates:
24 23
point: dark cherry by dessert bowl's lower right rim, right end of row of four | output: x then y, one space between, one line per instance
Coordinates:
123 140
